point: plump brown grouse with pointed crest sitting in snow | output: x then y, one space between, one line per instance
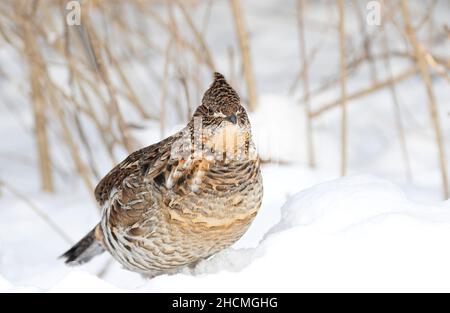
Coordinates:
182 200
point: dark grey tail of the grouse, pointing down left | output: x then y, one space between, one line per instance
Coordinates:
85 249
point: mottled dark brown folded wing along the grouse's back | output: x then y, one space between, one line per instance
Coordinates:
149 161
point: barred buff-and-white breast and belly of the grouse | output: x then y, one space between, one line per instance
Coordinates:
153 230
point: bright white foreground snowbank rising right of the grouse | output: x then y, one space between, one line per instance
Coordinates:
358 233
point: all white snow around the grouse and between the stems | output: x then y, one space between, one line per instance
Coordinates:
371 231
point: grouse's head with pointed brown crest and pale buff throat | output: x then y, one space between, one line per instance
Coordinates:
225 124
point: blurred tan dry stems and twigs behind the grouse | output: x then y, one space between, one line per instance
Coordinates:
131 64
